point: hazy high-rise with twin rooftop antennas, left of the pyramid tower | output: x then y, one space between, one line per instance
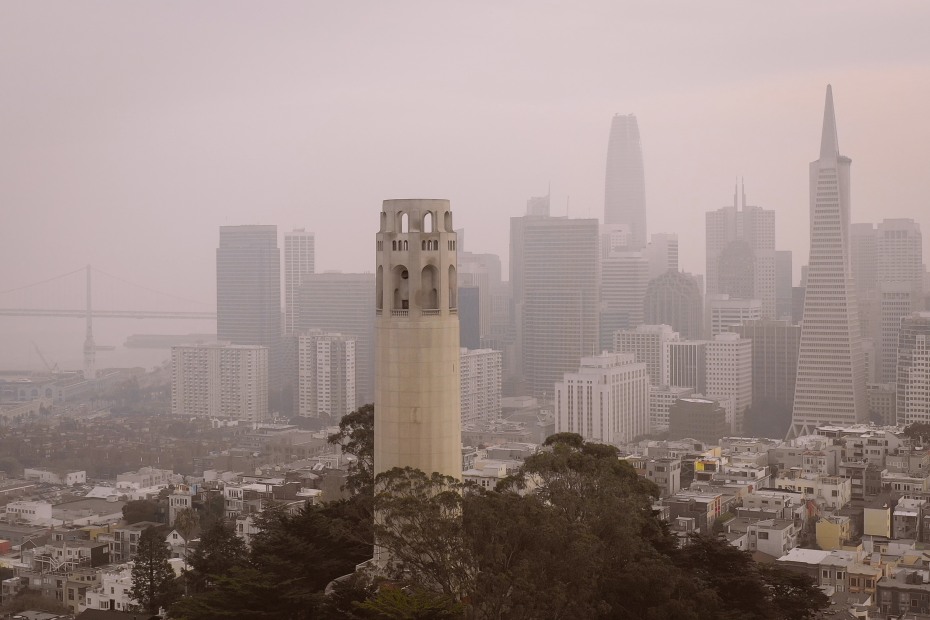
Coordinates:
741 253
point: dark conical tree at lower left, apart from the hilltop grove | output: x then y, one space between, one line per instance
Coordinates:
153 581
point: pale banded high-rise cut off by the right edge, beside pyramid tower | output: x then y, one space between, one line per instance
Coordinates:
913 376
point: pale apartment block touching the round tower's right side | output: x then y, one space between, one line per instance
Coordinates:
480 385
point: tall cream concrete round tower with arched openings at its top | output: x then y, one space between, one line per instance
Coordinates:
417 398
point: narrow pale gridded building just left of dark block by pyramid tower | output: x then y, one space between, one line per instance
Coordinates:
729 375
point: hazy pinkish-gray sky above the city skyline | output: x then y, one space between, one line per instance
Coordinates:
130 131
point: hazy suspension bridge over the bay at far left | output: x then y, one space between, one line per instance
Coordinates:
59 297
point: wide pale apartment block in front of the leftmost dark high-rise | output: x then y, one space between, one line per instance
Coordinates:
220 381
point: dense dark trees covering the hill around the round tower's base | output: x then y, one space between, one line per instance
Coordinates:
572 535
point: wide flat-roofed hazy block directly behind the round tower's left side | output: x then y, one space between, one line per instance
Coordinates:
341 303
